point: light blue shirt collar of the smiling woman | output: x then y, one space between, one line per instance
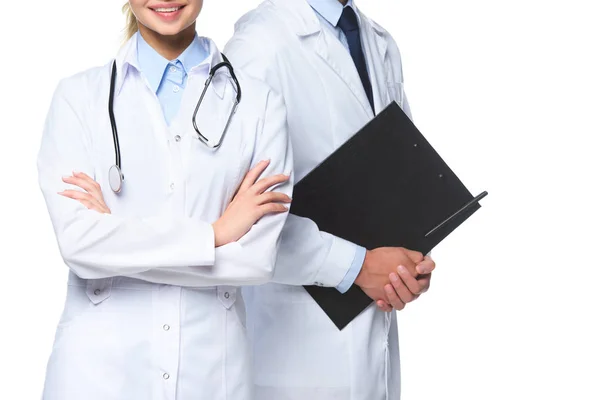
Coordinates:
153 65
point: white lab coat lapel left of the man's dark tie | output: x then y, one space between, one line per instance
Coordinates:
302 19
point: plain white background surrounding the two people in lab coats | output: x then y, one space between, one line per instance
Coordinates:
508 92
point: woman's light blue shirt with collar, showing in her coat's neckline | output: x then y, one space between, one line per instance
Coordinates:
168 78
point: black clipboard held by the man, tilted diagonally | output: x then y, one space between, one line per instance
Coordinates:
386 186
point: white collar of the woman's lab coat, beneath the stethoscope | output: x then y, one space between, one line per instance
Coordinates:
127 58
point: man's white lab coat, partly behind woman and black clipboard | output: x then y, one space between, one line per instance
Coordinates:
299 353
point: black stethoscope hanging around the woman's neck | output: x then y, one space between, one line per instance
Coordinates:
115 174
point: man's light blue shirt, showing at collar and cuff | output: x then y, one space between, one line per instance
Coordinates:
329 13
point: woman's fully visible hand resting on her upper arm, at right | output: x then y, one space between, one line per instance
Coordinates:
251 203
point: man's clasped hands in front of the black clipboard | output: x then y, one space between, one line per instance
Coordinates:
381 267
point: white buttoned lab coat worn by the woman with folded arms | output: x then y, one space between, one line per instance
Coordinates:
152 309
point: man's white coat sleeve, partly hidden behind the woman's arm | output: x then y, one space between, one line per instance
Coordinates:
307 256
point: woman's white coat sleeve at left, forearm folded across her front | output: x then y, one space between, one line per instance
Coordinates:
98 245
